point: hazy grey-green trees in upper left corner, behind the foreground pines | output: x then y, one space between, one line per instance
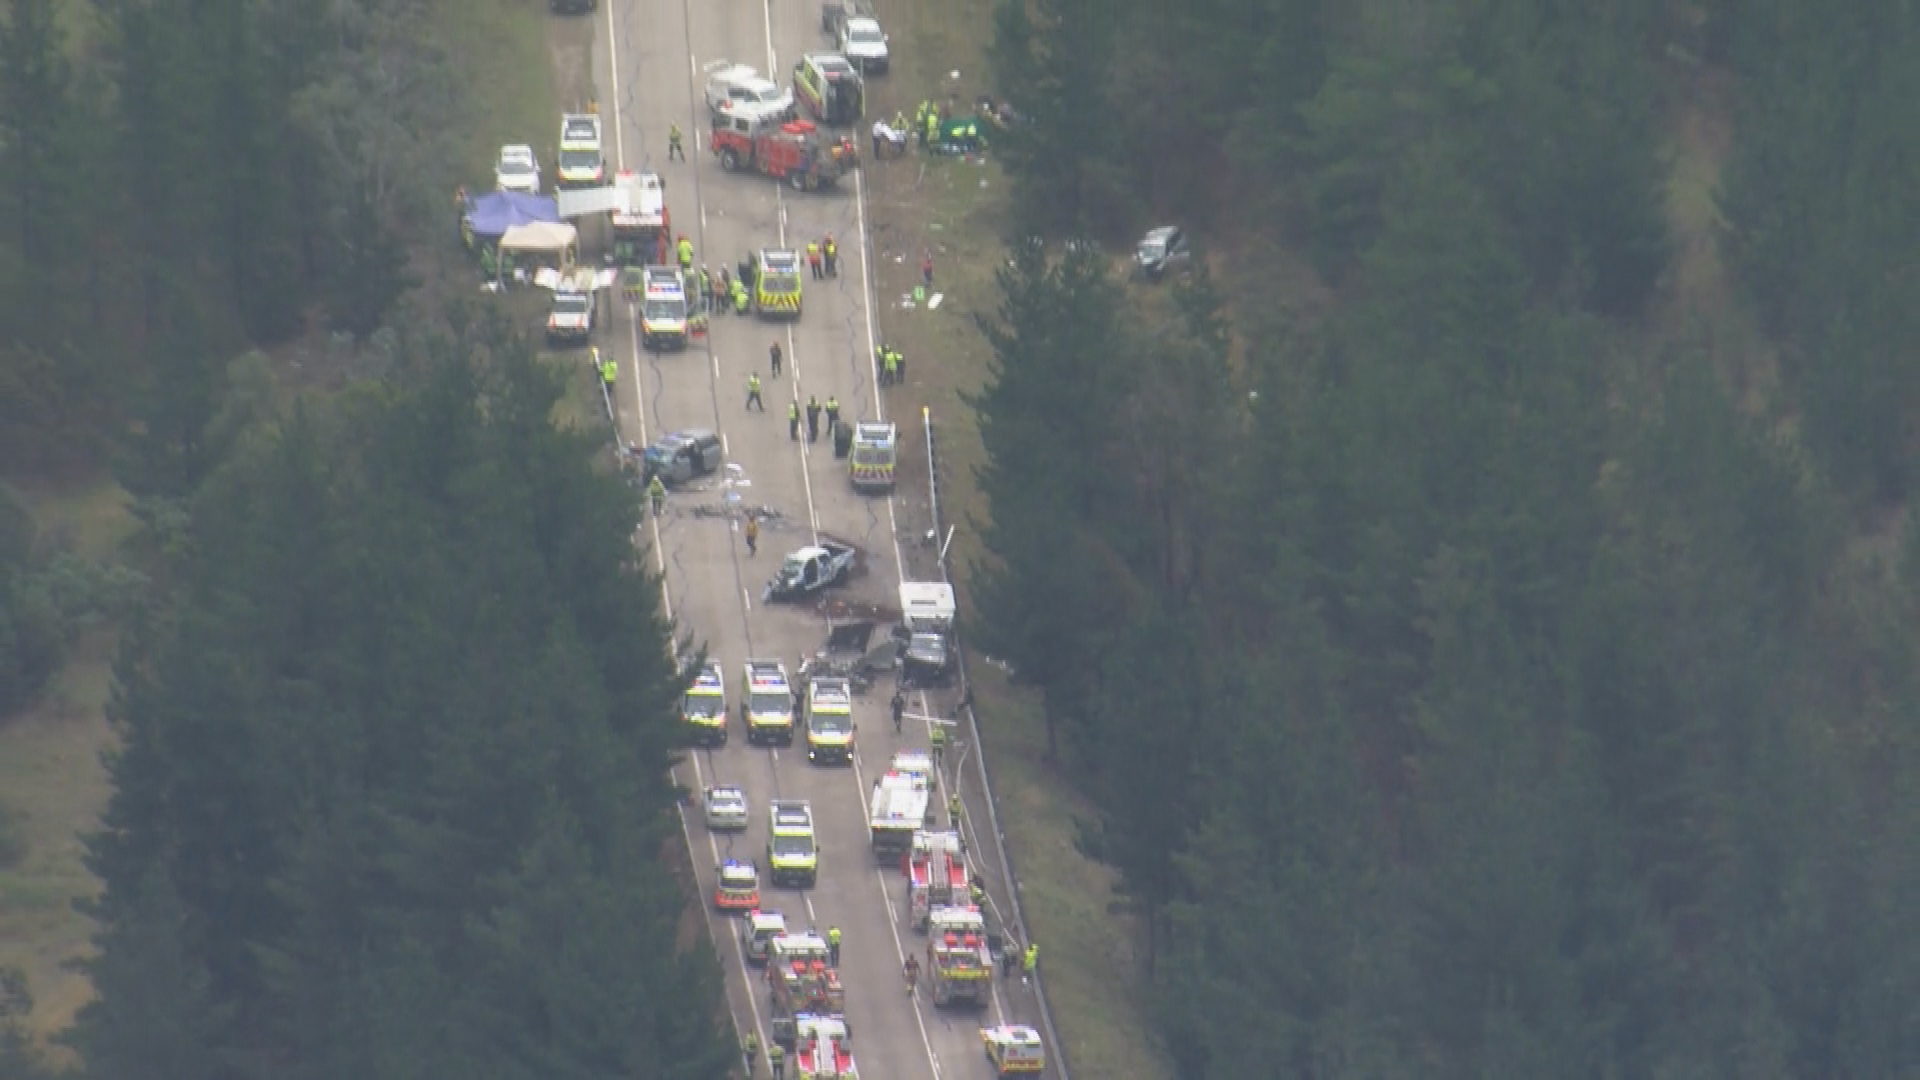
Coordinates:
252 162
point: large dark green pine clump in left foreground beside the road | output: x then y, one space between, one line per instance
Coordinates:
393 791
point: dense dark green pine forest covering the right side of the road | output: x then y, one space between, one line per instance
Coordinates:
1474 675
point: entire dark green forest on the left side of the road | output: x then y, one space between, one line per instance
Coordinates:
395 699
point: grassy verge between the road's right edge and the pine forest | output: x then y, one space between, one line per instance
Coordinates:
955 210
